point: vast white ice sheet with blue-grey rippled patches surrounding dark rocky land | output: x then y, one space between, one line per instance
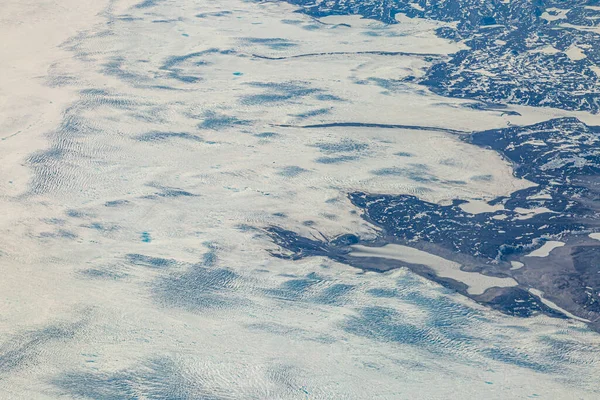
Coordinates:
161 138
